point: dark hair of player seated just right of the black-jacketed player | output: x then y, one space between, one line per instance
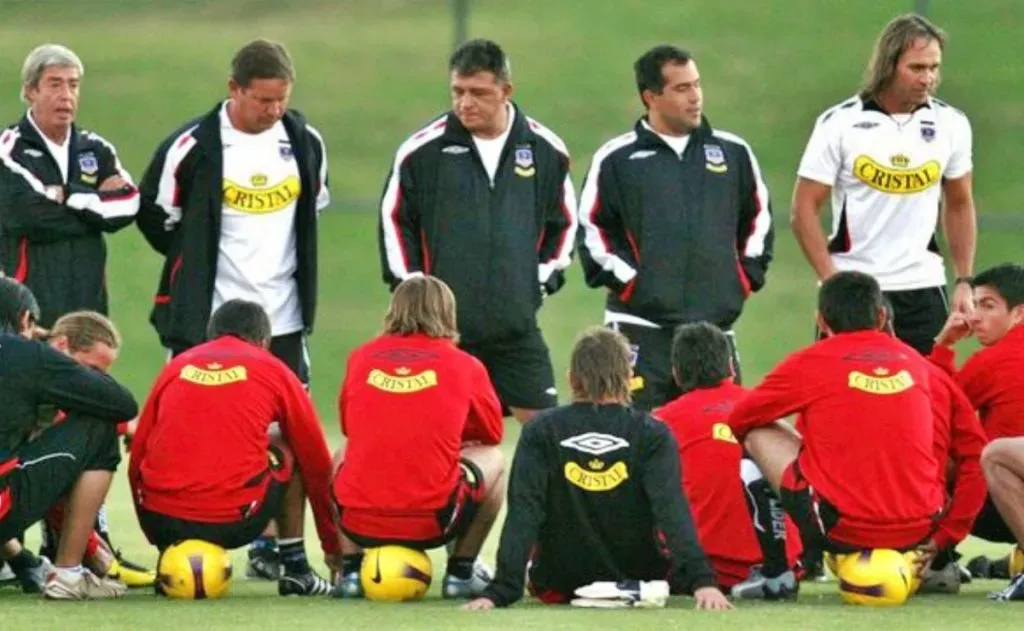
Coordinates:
702 357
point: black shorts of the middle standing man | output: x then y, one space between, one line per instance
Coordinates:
521 371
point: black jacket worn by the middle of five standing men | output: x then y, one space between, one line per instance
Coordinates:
500 246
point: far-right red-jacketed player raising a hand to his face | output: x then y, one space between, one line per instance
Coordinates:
993 378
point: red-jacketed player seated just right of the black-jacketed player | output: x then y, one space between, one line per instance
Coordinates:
753 558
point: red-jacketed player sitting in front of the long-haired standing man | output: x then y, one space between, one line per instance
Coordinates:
863 475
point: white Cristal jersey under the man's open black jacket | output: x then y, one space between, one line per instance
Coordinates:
258 259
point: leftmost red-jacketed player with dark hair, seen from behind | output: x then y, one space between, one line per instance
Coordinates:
230 440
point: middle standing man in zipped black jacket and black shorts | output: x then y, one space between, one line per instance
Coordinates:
482 198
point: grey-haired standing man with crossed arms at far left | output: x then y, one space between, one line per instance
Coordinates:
62 188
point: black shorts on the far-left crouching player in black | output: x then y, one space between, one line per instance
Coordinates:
46 470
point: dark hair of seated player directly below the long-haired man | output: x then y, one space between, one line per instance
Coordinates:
850 302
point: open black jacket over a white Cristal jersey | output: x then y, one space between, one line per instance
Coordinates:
181 215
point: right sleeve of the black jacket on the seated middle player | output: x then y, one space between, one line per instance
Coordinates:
663 484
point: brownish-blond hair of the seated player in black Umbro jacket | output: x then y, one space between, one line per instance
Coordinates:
600 367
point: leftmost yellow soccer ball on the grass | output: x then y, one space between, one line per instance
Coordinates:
194 570
